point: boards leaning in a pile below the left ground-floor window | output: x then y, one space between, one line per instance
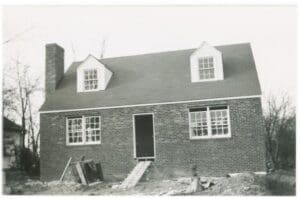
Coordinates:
83 171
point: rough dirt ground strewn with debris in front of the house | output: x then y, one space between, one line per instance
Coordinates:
242 184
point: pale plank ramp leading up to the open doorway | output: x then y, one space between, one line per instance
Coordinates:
135 175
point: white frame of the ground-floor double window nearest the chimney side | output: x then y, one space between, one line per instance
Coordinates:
84 142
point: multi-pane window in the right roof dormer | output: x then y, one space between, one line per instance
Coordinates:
206 68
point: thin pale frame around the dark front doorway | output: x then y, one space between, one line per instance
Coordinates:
134 135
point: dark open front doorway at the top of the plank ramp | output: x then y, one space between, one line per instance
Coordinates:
144 138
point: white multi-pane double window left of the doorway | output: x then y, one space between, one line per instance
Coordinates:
84 130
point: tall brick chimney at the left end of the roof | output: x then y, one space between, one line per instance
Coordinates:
54 67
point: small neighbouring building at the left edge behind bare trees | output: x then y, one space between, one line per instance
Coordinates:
12 141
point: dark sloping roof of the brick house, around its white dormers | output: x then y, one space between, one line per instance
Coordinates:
157 78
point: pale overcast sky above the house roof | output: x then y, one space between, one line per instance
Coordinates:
272 32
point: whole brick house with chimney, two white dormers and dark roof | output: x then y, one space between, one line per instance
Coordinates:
180 109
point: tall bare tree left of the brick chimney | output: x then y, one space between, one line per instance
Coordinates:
19 99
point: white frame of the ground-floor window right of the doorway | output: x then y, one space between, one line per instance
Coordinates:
209 134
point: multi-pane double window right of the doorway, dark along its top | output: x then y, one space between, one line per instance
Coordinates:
209 122
